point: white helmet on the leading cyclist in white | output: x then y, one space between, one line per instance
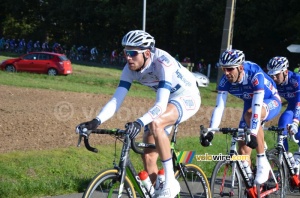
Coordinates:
138 38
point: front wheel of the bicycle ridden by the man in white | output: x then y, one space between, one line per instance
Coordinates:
107 184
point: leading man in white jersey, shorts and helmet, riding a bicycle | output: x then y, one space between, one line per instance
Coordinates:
177 99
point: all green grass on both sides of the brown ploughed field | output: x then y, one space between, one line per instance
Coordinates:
69 170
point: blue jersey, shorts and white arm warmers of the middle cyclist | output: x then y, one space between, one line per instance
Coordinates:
256 89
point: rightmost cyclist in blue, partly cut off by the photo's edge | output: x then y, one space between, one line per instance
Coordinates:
288 88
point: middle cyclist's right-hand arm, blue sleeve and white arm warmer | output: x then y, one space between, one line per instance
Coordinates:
257 102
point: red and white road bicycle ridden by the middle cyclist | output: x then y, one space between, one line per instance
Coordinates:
229 177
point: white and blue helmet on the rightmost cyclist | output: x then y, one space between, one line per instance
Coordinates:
277 64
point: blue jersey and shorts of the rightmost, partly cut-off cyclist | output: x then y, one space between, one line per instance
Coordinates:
290 91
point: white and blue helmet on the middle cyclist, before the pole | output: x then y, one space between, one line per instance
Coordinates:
232 58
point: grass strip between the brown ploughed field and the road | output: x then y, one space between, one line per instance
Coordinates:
69 170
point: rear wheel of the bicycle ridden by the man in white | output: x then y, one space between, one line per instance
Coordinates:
197 182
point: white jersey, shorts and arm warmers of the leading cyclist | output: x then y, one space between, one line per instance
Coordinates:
172 83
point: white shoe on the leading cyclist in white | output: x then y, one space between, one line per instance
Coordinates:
169 191
